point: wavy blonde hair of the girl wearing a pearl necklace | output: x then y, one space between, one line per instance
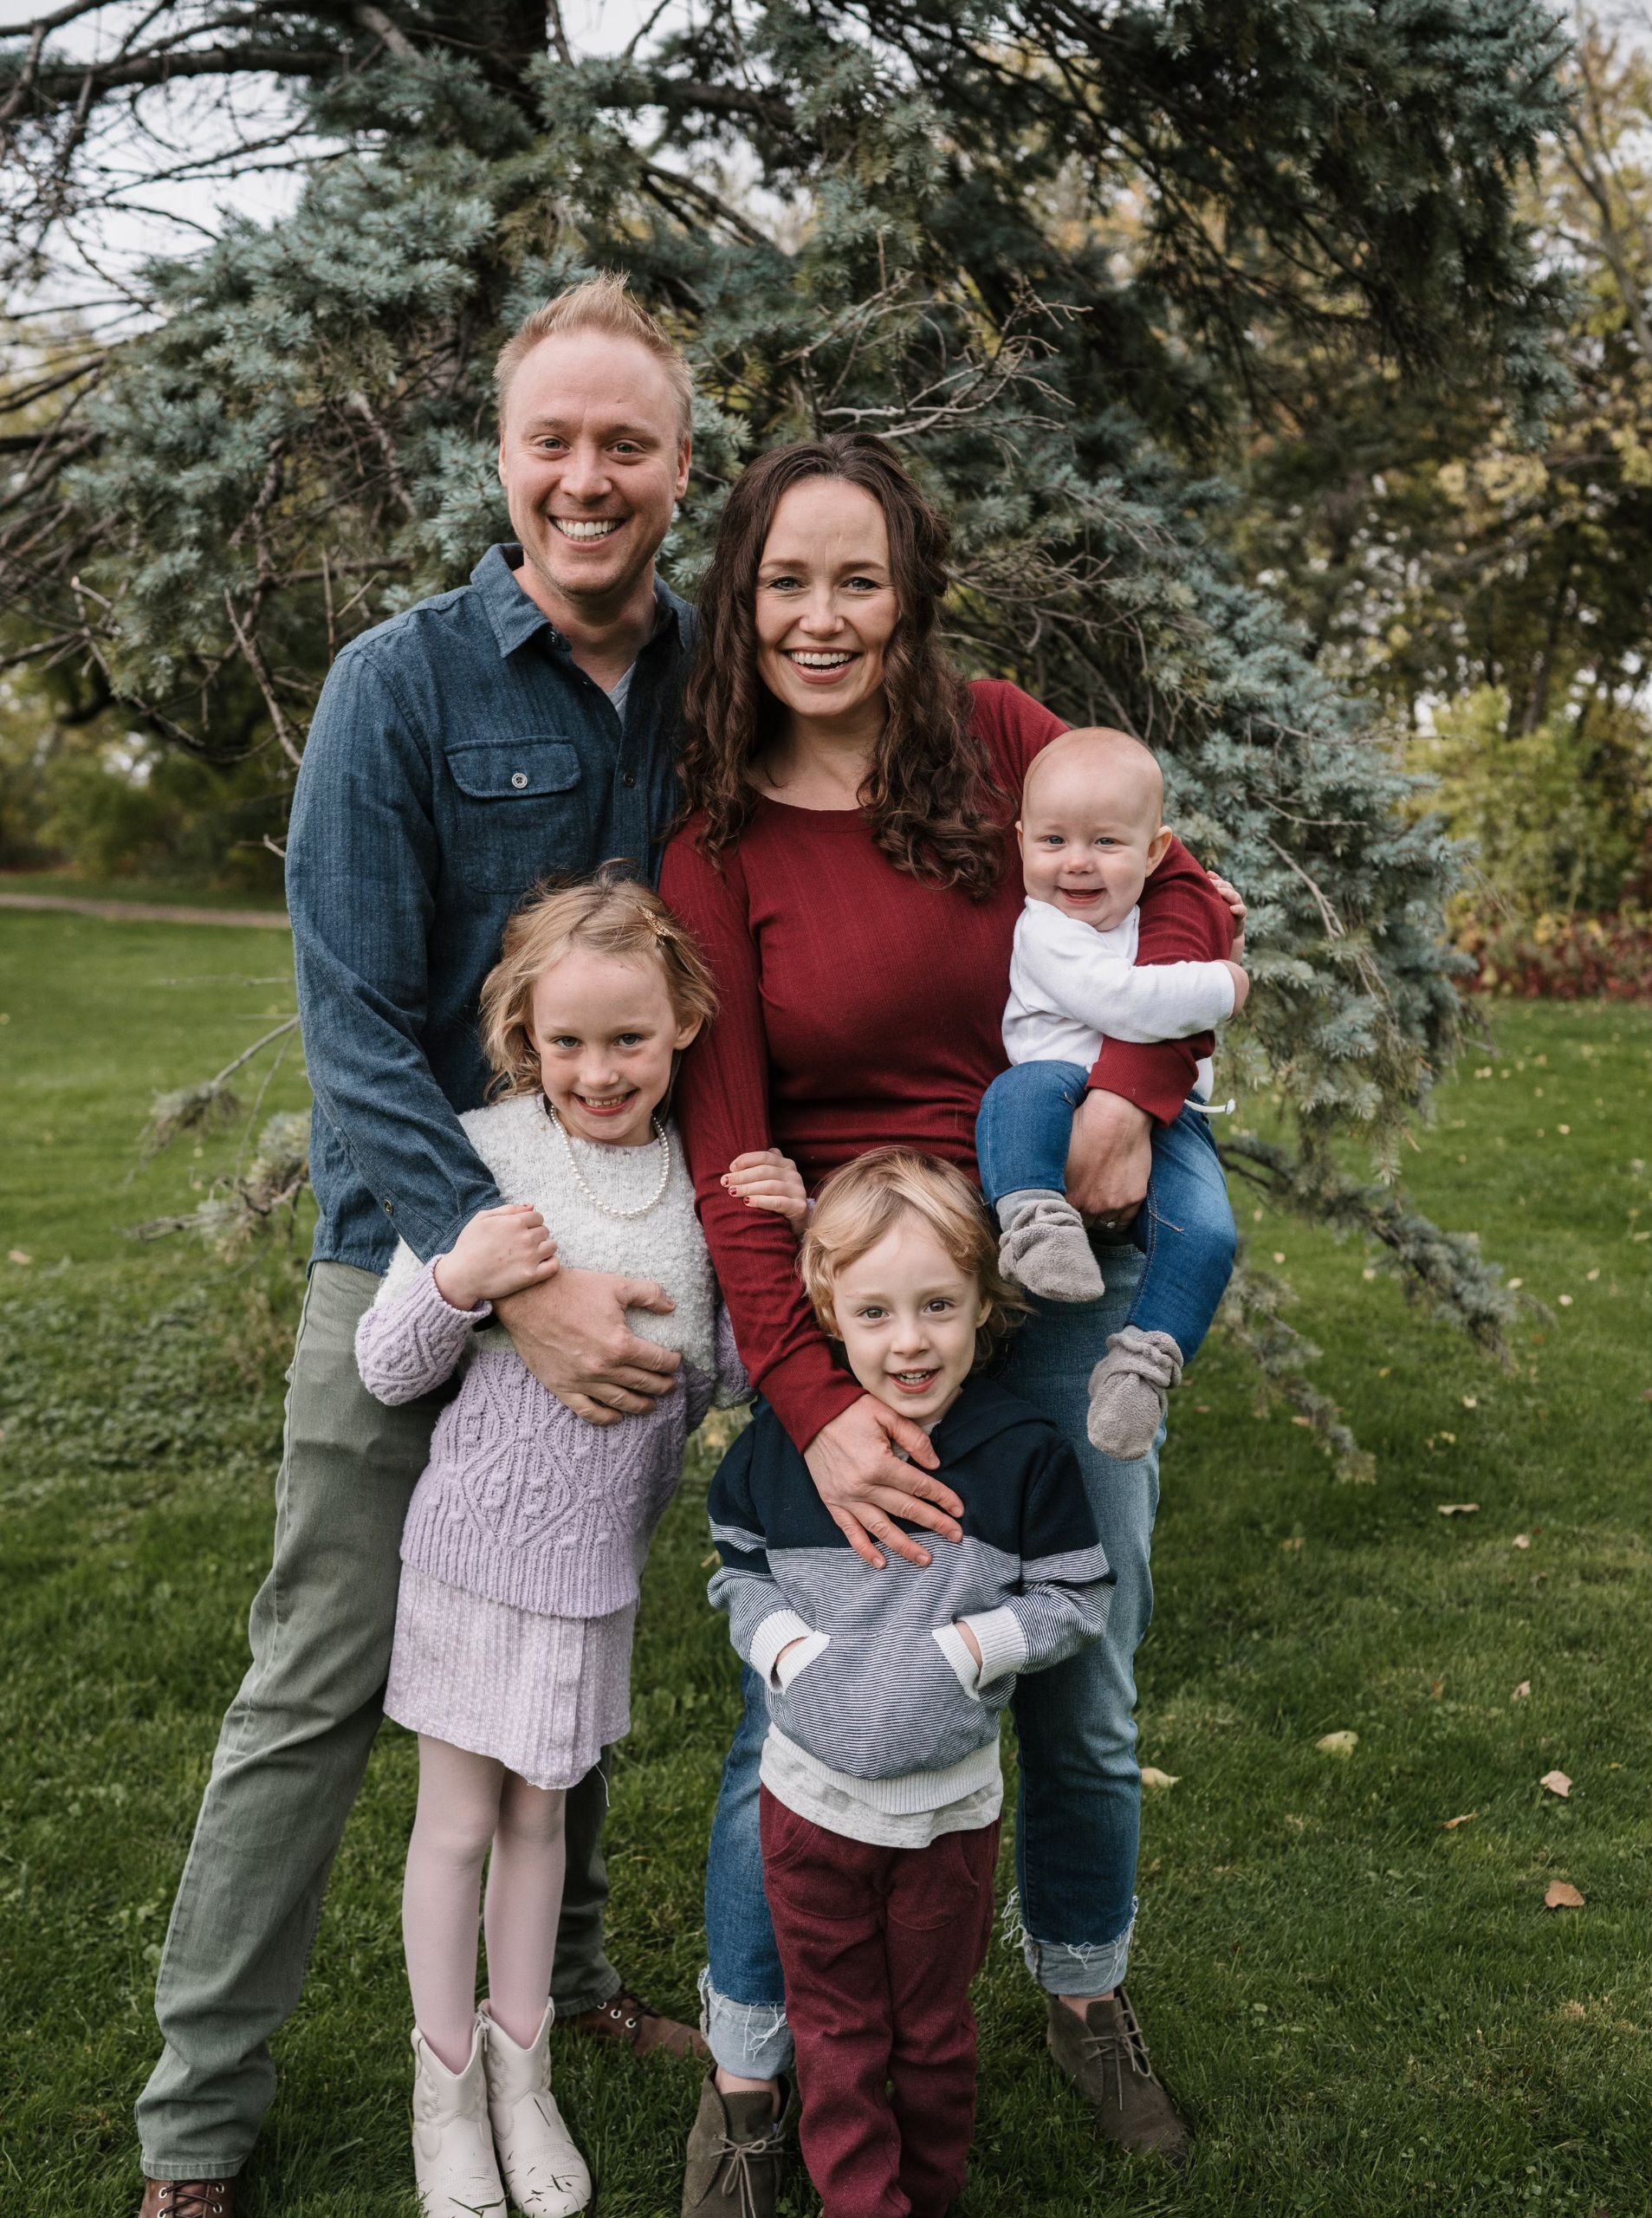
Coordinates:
613 915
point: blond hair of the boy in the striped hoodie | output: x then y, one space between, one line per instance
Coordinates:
861 1201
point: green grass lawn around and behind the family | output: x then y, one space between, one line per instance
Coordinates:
1363 2011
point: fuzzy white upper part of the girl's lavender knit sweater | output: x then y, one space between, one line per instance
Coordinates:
531 1163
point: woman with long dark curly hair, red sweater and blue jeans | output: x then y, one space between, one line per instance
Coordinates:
850 873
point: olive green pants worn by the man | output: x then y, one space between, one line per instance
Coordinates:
294 1751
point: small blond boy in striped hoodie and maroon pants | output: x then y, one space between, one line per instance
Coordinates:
881 1782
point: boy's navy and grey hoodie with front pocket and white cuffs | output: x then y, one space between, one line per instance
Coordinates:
881 1696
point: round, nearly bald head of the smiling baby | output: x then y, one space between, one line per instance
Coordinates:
1090 826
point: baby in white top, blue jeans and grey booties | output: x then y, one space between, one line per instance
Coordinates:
1090 837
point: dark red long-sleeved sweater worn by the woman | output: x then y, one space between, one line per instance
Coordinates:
861 1008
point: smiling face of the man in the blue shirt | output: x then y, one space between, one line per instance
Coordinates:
593 458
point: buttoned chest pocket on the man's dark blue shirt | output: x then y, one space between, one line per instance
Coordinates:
520 813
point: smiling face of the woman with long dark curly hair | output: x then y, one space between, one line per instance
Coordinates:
826 602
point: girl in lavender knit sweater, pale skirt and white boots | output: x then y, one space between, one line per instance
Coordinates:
529 1529
